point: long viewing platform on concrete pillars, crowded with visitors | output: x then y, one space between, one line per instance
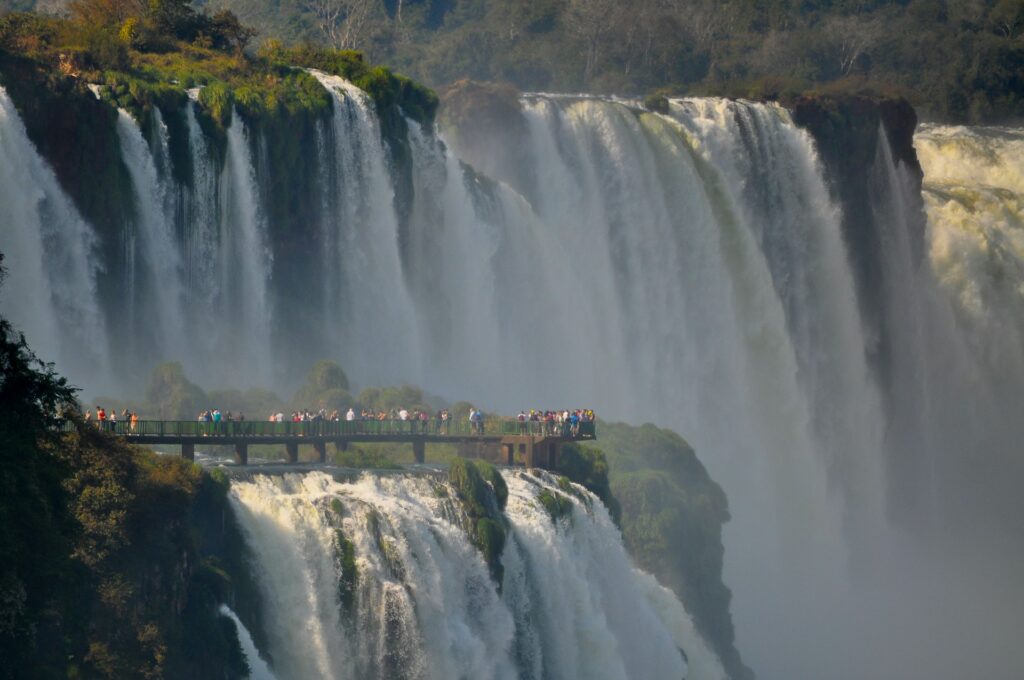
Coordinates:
503 441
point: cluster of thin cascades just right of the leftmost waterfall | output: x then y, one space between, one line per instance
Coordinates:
197 253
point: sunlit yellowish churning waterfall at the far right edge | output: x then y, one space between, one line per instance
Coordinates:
974 187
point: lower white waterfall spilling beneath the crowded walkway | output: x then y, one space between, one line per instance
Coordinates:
423 604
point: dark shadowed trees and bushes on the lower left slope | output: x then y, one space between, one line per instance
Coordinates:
103 576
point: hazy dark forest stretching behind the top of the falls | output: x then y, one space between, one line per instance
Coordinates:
958 61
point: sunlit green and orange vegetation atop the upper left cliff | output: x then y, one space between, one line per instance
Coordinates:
145 56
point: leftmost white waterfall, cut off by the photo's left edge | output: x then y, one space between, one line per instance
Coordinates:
51 259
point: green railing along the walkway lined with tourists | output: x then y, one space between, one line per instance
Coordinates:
342 430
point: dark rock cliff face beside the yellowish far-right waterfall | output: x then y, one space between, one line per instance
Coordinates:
846 132
